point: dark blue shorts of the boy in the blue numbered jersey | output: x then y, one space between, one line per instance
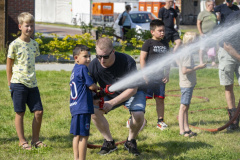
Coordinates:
80 124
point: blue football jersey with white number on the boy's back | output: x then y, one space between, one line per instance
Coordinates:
81 101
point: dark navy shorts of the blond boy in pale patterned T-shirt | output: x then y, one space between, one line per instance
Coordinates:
22 95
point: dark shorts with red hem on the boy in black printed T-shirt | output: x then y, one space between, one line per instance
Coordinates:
156 90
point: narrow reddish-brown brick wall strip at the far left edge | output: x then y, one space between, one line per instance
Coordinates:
2 23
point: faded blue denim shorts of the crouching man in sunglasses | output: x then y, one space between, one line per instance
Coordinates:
134 104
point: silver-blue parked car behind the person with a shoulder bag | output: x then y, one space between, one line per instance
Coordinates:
138 19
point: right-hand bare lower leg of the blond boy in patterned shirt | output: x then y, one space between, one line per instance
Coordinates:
36 125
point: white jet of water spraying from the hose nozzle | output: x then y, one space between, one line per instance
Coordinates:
135 79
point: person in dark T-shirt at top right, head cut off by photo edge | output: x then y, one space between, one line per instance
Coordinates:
226 9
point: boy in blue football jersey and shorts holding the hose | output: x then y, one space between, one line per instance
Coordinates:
81 100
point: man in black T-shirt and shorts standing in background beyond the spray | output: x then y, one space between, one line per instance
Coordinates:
167 14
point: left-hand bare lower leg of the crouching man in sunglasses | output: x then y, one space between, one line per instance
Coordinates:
102 124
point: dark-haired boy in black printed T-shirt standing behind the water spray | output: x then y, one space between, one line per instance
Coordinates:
153 49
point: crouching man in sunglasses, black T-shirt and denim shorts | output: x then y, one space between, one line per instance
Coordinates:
107 68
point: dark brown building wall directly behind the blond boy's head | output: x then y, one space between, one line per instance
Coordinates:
13 9
